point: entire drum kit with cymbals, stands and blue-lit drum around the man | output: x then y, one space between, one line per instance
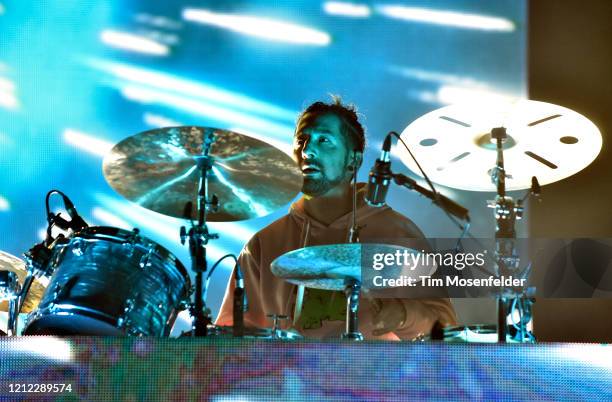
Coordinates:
110 281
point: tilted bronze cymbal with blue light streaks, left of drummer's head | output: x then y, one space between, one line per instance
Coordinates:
158 170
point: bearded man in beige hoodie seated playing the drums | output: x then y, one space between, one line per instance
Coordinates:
328 146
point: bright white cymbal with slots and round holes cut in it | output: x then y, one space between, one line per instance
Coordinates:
453 144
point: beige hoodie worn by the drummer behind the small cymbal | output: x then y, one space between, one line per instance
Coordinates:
268 294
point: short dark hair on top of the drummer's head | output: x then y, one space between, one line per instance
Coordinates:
348 115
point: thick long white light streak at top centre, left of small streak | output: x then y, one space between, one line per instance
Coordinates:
264 28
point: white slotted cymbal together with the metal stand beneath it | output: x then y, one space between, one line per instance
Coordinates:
536 138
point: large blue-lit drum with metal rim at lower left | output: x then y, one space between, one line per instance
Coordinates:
113 282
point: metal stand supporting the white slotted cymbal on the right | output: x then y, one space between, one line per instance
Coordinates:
506 214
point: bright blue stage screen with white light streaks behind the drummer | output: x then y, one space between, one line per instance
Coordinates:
77 77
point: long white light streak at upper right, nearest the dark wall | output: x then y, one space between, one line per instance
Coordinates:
448 18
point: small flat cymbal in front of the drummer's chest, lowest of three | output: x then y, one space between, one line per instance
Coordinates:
329 266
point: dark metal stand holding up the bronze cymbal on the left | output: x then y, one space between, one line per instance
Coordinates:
199 236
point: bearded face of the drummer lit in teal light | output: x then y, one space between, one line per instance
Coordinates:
322 152
